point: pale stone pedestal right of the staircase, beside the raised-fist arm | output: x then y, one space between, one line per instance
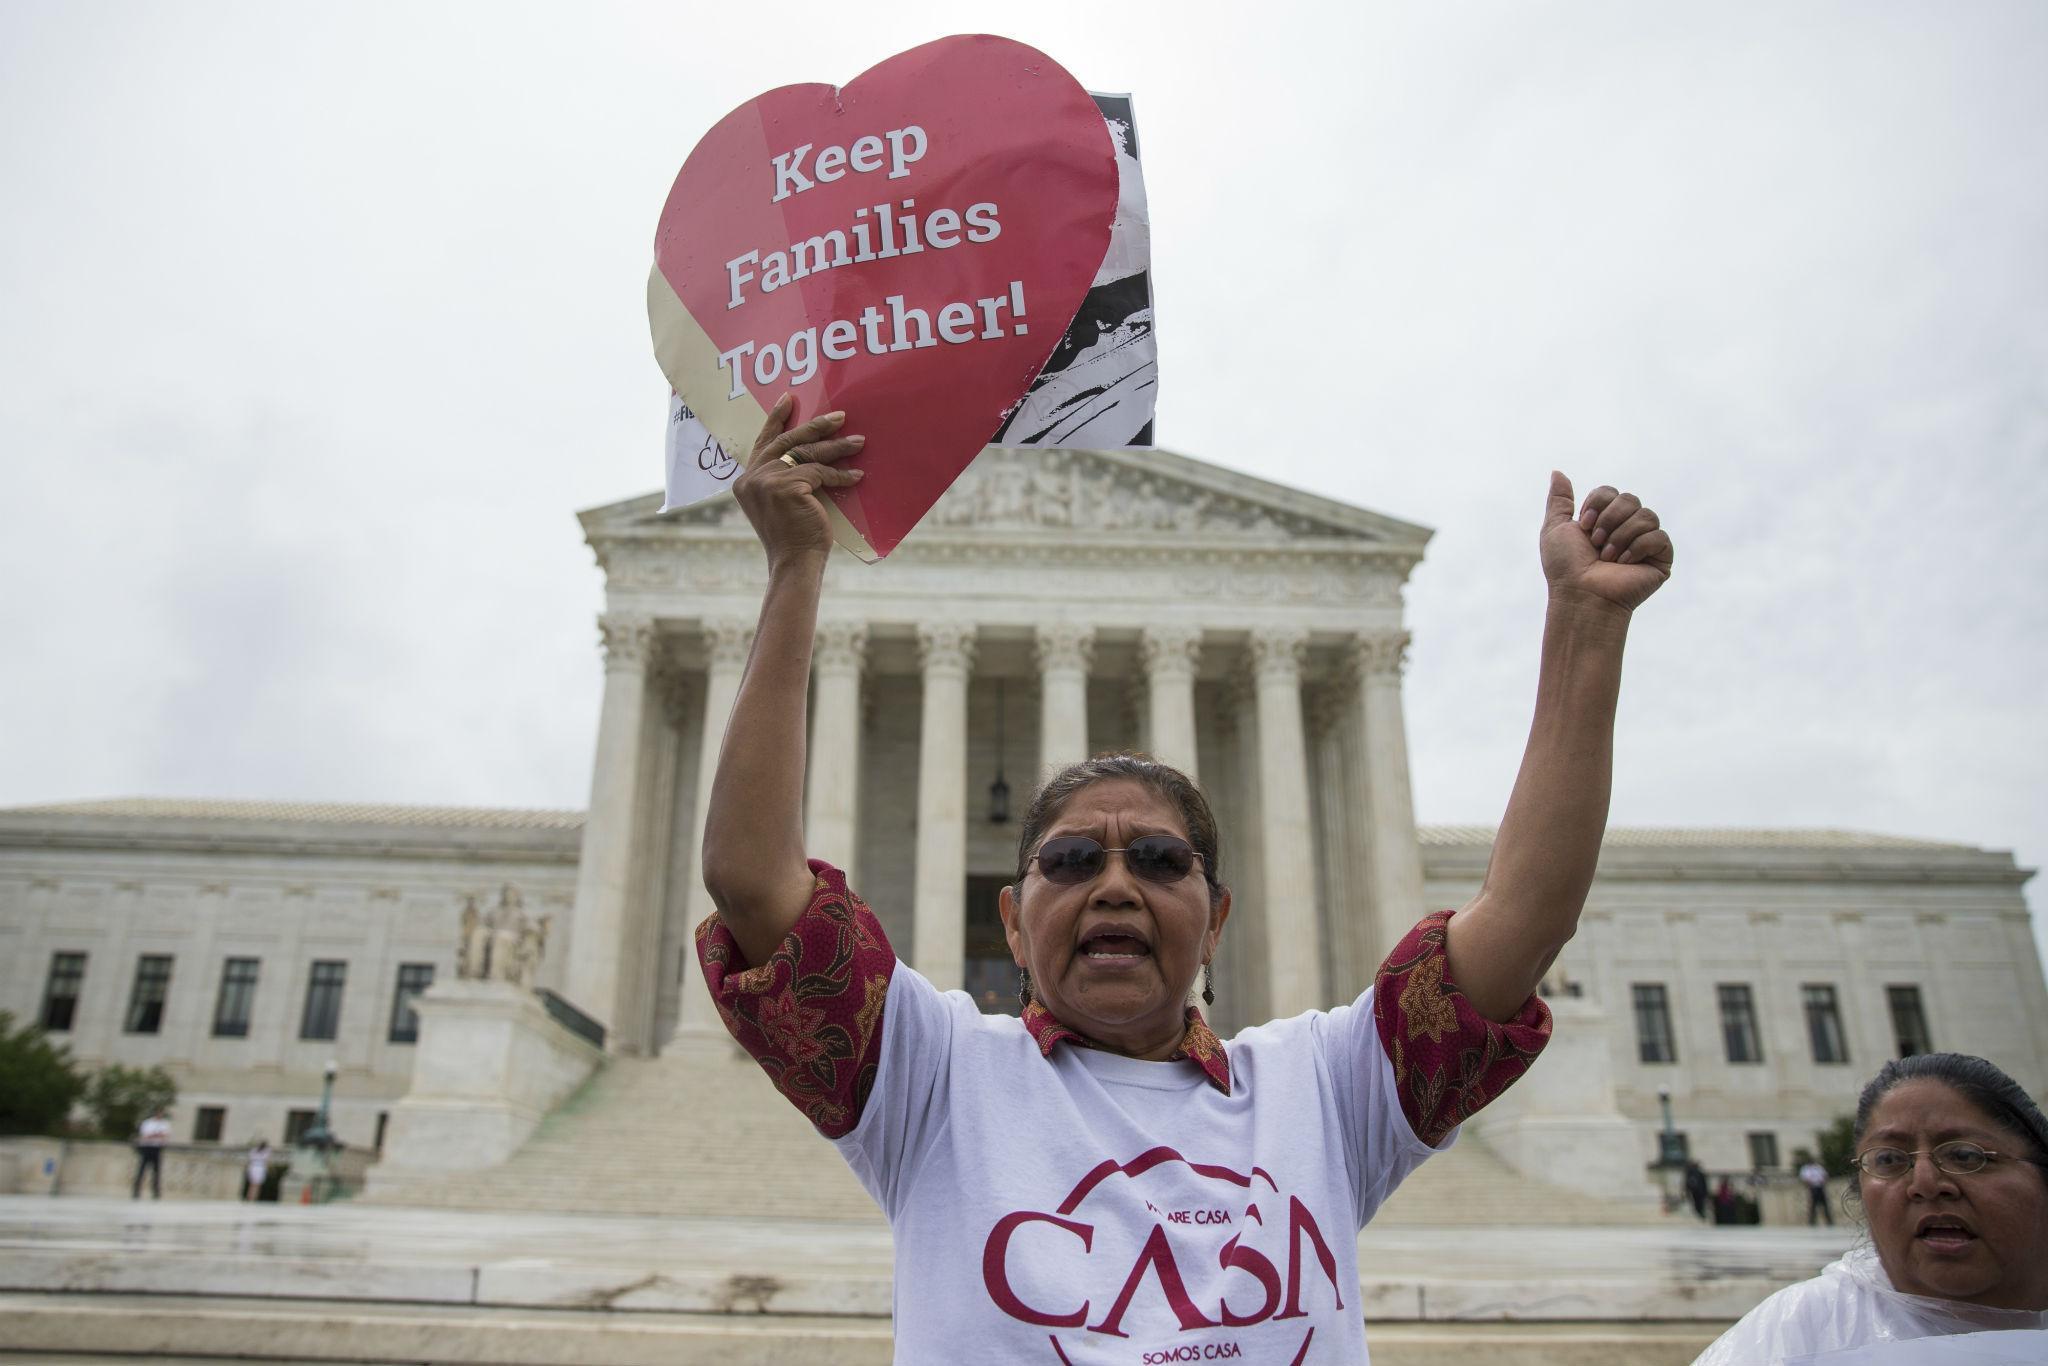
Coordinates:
1562 1125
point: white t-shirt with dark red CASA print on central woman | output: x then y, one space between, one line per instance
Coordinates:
1089 1207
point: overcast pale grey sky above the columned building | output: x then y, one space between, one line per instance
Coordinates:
321 323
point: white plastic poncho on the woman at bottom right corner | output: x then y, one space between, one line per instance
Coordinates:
1850 1306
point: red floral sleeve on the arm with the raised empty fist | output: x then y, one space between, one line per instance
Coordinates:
1449 1060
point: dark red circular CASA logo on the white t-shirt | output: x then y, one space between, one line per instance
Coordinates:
1187 1263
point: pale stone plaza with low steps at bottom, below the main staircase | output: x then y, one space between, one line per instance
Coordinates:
372 1283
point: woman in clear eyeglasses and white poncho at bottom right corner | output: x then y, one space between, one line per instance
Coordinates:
1953 1177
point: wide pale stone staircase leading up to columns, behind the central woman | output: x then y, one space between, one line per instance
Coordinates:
706 1136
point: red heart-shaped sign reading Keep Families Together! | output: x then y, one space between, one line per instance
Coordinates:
906 249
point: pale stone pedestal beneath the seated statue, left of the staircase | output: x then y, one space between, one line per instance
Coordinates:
490 1064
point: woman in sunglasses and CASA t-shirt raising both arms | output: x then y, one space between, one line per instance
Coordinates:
1103 1179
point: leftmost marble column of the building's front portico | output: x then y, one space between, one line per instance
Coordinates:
605 869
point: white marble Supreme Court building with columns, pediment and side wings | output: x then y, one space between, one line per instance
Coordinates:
1054 605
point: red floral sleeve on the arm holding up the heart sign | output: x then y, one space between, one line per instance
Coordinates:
812 1017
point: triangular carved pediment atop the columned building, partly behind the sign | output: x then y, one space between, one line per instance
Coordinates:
1082 493
